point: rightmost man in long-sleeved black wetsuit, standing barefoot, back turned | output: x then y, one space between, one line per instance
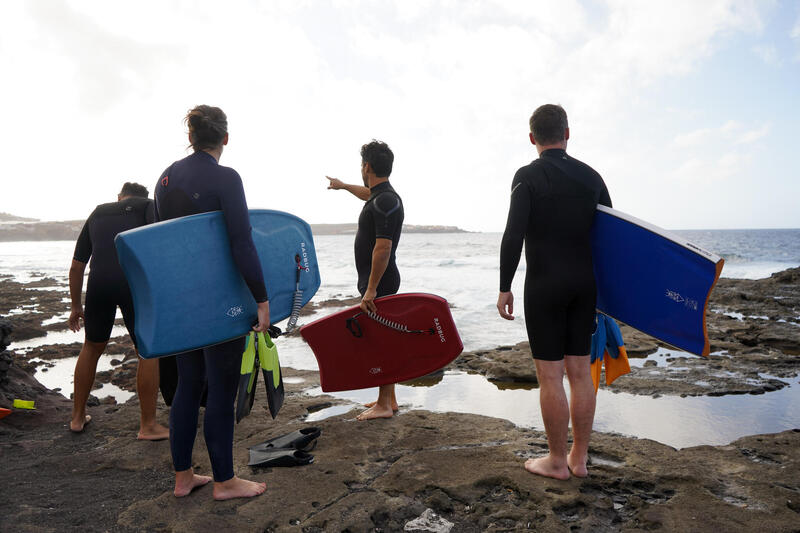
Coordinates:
553 201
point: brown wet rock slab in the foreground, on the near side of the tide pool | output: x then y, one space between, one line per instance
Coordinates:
460 469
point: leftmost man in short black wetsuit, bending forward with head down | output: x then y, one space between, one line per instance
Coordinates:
106 290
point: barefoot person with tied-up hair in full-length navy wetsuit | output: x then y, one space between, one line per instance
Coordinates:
198 184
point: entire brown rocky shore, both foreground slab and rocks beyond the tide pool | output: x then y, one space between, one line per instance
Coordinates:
389 475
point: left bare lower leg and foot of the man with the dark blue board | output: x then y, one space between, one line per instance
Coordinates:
555 414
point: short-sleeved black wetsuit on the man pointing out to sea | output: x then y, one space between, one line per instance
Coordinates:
381 218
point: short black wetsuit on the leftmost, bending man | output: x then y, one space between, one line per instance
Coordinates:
107 287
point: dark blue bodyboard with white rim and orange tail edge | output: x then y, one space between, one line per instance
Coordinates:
653 280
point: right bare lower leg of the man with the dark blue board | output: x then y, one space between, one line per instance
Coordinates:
582 405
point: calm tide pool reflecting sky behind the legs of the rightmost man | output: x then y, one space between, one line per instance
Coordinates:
675 421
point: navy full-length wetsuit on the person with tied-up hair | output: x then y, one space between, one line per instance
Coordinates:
198 184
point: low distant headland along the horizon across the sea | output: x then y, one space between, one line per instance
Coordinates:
14 228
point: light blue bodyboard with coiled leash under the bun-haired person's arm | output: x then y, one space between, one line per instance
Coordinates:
187 291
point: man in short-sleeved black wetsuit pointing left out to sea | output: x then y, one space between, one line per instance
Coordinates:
379 228
